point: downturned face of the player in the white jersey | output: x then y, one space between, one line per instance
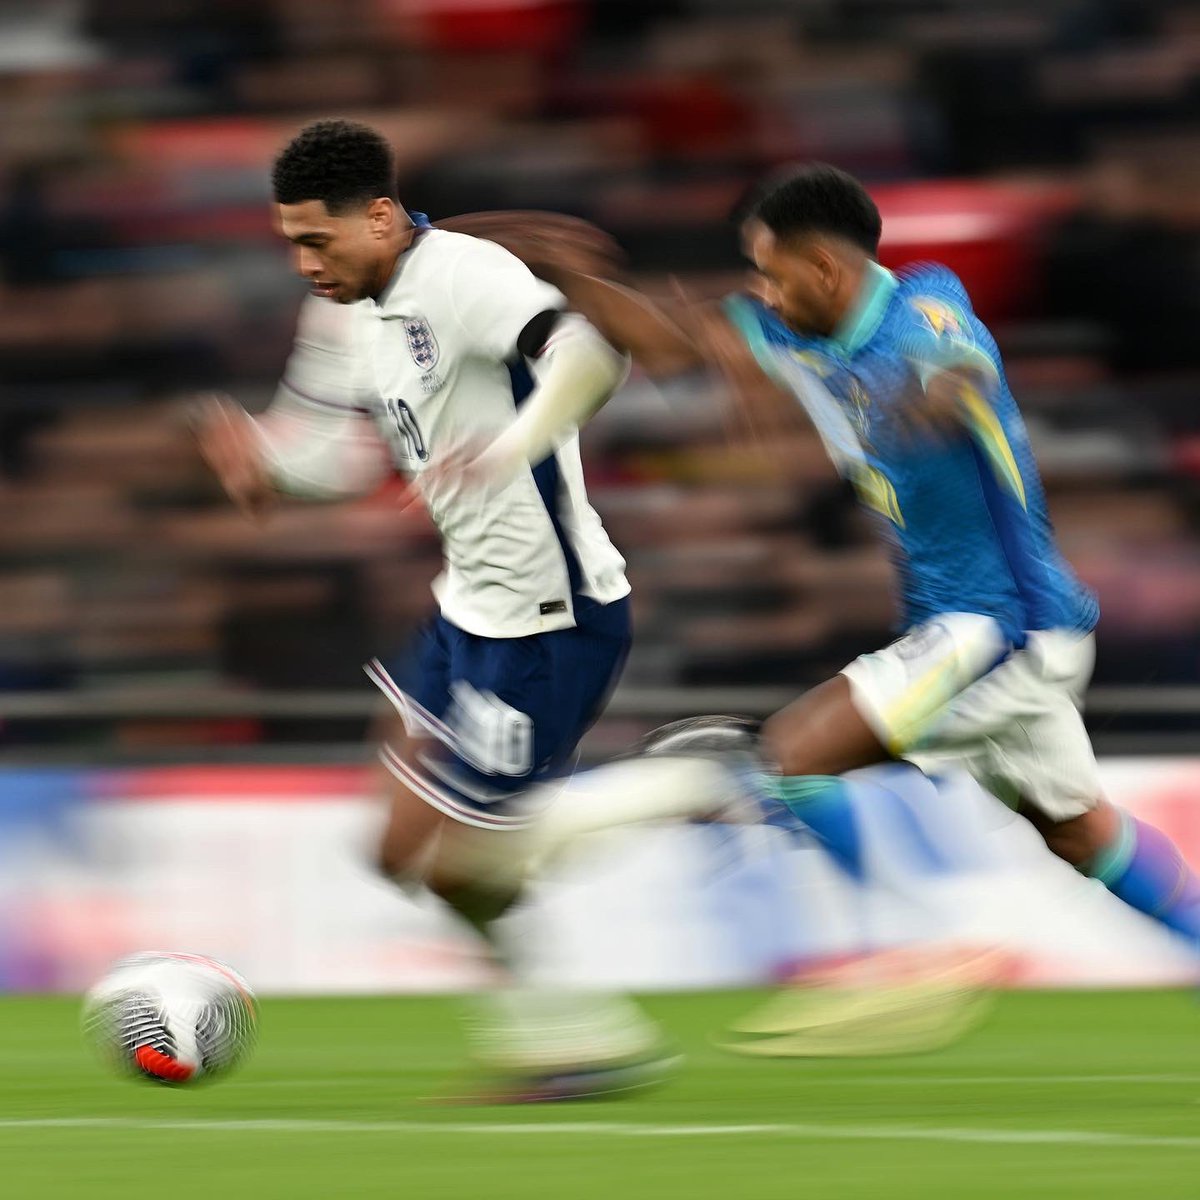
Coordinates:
344 257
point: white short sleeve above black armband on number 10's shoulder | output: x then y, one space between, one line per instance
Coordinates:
495 296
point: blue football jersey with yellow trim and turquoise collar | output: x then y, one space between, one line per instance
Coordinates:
968 515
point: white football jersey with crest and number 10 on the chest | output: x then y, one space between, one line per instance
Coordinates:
435 363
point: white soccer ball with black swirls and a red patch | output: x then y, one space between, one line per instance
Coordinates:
171 1018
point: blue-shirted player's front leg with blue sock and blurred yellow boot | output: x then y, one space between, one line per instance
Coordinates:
878 710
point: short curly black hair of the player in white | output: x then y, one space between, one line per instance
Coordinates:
343 164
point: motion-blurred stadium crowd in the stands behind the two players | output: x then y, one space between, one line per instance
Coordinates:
1048 151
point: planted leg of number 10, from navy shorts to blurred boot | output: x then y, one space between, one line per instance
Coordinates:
514 713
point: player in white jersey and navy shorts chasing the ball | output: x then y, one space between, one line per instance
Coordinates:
421 347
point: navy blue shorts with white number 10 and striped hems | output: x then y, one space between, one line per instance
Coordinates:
501 713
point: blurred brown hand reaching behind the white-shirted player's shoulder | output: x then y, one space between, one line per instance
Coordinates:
548 243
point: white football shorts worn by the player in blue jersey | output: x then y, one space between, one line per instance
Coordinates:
938 699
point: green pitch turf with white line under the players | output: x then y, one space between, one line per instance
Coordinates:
1060 1095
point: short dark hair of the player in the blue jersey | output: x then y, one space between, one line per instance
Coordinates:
815 199
